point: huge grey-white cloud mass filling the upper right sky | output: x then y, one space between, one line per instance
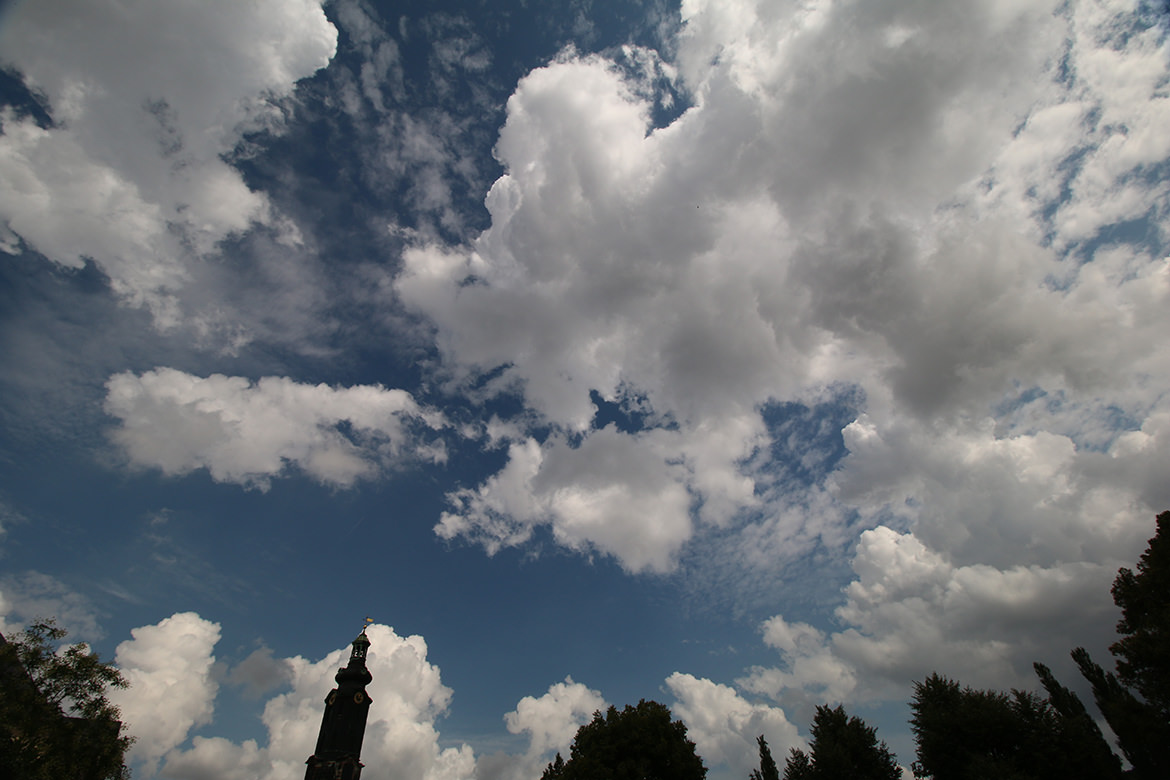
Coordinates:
861 197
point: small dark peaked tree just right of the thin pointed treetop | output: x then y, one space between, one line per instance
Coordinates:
842 747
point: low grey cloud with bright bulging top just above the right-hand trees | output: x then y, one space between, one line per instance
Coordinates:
911 613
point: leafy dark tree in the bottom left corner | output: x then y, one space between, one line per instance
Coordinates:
56 722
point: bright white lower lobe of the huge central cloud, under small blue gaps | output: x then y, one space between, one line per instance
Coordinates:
629 496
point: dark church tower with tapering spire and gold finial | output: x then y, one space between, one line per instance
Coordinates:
343 727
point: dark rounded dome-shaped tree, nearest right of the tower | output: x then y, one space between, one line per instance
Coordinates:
637 743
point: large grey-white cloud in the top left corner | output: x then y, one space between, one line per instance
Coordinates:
132 175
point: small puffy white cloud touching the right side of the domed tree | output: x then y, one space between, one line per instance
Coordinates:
725 726
